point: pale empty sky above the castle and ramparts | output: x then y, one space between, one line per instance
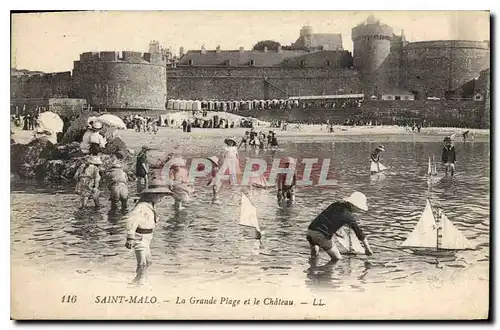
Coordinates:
50 42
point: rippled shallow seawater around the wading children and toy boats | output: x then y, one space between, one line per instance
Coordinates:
205 243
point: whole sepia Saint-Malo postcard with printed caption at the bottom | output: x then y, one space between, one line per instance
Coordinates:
250 165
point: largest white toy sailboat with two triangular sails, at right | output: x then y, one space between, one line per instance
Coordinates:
436 238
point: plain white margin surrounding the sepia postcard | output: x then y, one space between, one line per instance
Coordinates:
195 5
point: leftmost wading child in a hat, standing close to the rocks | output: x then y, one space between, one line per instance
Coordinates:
88 178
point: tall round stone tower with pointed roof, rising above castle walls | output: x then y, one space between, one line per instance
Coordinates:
372 44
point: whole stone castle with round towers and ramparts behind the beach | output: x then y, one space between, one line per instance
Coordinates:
382 64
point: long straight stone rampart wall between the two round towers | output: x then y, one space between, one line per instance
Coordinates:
249 83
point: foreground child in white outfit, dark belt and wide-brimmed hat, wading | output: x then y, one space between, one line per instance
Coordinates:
141 222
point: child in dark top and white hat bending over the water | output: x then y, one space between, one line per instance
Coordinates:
321 230
